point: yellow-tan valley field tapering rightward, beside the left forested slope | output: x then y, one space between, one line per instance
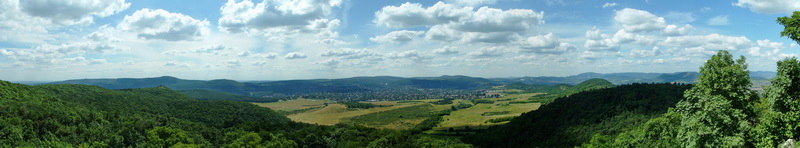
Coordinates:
334 113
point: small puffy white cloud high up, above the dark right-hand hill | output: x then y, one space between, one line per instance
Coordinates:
635 21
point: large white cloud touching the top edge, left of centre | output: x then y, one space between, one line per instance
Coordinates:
278 17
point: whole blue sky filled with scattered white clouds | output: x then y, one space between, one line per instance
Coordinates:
48 40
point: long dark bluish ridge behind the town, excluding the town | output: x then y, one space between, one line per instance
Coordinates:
294 87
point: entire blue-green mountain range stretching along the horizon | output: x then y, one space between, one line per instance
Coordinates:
381 83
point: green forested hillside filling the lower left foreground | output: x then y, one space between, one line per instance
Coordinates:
72 115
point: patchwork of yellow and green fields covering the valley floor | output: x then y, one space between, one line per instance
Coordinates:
407 114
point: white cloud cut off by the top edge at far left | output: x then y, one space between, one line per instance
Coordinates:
72 12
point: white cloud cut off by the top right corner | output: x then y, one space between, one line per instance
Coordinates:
770 6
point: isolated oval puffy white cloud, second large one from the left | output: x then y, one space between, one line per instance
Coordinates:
162 25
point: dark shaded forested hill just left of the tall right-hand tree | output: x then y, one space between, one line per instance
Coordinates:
570 121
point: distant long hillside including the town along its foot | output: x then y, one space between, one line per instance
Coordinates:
360 88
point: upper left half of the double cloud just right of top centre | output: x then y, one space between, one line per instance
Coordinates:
412 14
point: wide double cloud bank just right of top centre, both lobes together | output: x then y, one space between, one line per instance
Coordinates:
460 23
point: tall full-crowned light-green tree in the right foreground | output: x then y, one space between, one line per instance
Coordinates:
717 110
